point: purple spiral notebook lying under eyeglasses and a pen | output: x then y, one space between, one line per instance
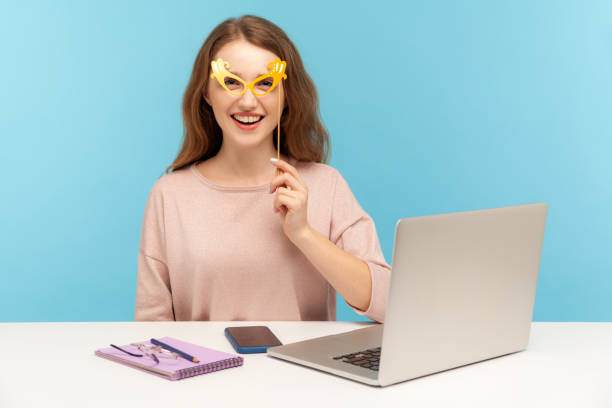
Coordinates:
170 368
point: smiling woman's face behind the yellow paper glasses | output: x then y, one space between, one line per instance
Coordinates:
246 119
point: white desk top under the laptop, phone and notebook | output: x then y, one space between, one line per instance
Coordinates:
53 365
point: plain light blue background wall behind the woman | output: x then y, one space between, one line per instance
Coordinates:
432 107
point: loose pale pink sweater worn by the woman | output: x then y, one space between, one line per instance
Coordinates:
211 252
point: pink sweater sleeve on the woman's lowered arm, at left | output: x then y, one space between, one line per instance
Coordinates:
153 290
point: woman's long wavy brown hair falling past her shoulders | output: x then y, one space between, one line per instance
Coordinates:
303 135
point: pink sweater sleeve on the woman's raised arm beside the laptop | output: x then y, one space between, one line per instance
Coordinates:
353 230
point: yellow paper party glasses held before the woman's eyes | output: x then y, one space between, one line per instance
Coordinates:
238 86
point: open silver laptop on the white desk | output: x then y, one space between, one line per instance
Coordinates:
462 291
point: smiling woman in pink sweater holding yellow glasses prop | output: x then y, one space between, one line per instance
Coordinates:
230 234
